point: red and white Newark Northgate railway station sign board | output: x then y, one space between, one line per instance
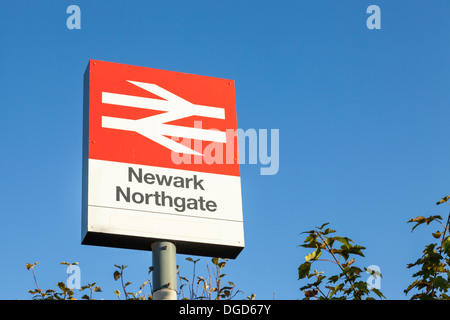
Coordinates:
160 160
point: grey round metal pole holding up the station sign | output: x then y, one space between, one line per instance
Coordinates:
164 271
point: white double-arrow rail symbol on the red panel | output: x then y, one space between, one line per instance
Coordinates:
155 127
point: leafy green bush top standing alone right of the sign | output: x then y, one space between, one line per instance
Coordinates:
346 284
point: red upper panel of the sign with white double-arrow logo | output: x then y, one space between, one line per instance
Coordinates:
161 118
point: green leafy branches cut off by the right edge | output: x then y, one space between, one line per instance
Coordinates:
433 278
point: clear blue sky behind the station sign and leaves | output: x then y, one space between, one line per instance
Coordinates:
362 115
